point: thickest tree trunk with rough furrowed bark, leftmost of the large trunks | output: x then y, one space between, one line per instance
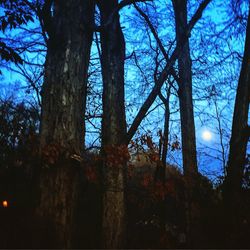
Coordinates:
63 108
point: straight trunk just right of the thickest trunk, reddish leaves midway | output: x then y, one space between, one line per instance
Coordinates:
113 129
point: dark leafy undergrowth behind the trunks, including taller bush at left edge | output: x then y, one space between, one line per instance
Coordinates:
179 213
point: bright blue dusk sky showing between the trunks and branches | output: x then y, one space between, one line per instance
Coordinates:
224 76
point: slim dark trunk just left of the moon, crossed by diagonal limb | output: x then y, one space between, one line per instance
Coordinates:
185 91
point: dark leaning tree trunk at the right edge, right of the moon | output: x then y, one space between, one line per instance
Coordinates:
240 128
